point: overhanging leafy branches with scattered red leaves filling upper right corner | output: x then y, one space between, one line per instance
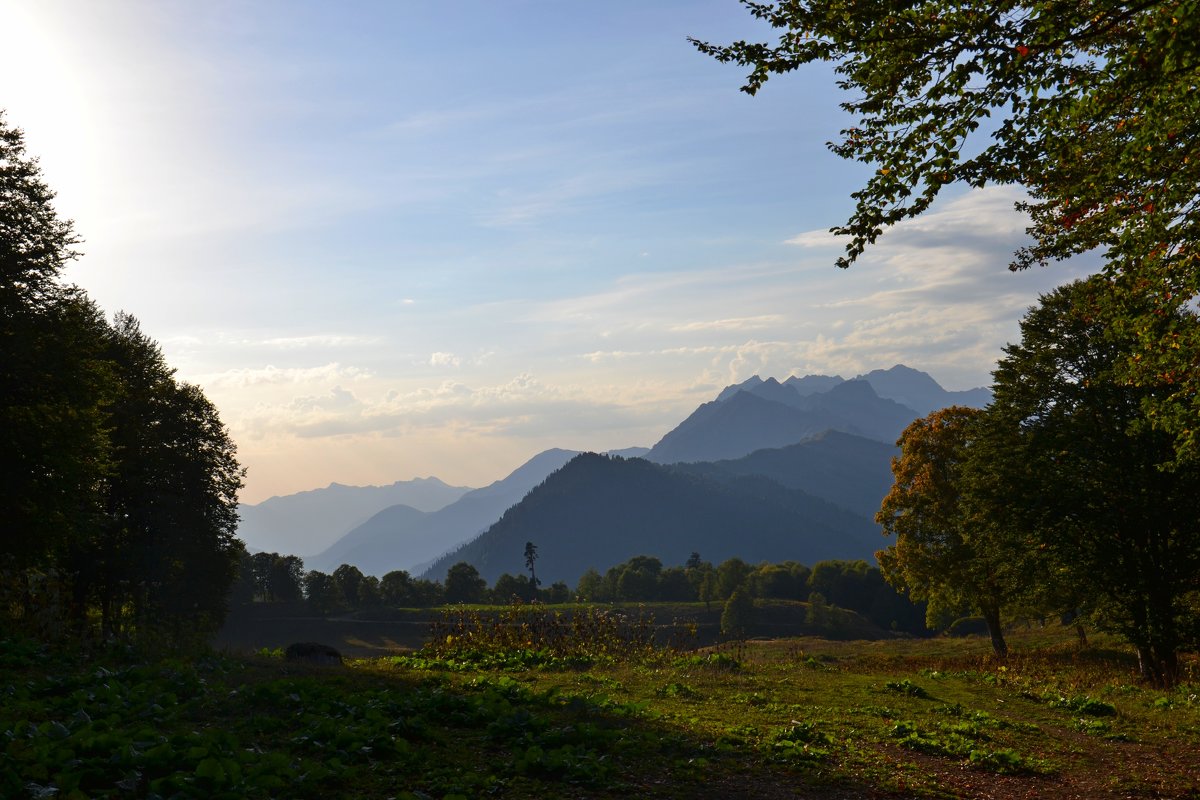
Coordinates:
1091 107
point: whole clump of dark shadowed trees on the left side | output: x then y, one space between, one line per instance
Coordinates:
118 482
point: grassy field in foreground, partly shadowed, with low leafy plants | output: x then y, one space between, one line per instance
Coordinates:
500 713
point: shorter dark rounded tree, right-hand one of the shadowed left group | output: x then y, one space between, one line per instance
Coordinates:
166 554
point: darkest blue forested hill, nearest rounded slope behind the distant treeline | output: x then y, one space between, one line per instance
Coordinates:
598 512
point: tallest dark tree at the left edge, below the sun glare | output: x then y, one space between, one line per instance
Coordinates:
55 381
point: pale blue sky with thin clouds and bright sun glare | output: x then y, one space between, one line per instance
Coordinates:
410 238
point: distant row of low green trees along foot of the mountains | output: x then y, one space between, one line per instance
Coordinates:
854 586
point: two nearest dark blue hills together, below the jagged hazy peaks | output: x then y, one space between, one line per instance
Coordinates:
598 512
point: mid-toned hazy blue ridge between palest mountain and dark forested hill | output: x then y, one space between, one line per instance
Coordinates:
403 538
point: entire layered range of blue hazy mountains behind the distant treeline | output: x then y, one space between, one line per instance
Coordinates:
766 471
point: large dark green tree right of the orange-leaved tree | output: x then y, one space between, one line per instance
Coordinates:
1107 507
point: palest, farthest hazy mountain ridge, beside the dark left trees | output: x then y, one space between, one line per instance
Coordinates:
309 522
